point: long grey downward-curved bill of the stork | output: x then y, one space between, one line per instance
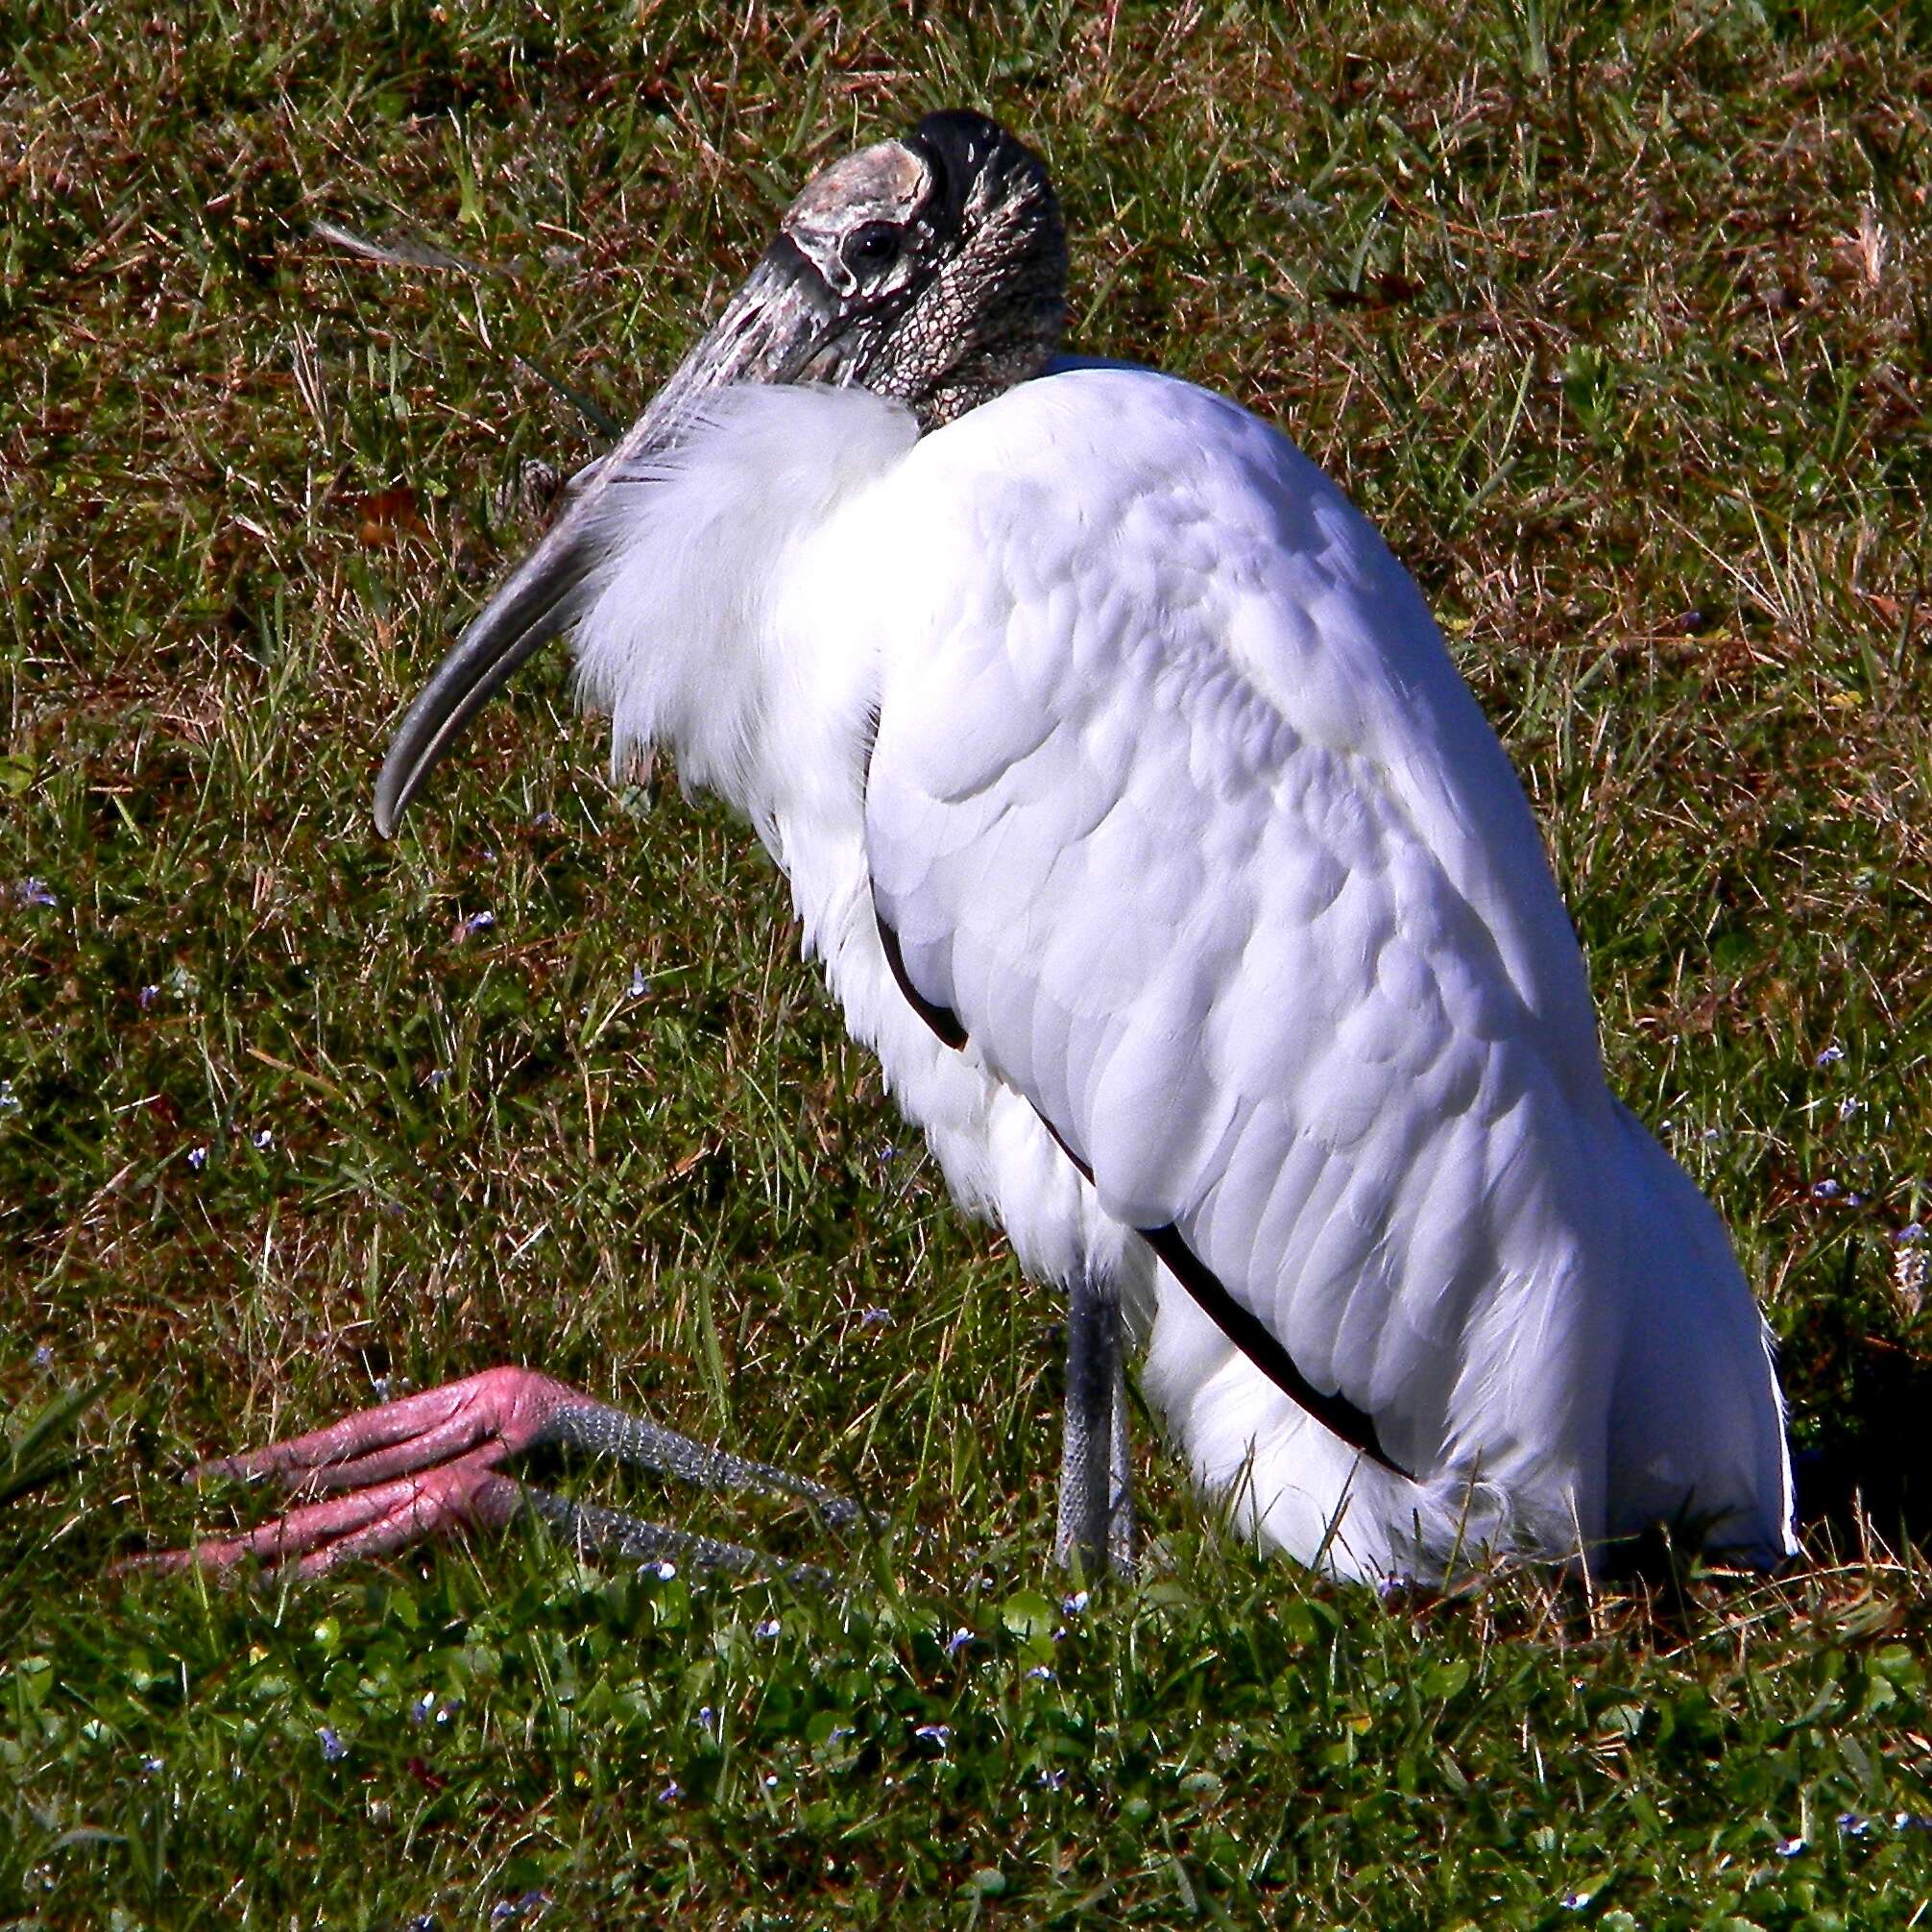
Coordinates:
772 331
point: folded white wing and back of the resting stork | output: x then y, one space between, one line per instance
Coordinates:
1179 805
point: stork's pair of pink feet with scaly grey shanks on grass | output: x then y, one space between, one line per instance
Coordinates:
432 1463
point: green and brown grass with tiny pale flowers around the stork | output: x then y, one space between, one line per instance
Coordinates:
1618 326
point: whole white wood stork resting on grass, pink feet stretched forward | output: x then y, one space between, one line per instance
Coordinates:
1152 841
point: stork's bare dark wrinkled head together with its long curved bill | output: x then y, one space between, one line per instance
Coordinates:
930 270
